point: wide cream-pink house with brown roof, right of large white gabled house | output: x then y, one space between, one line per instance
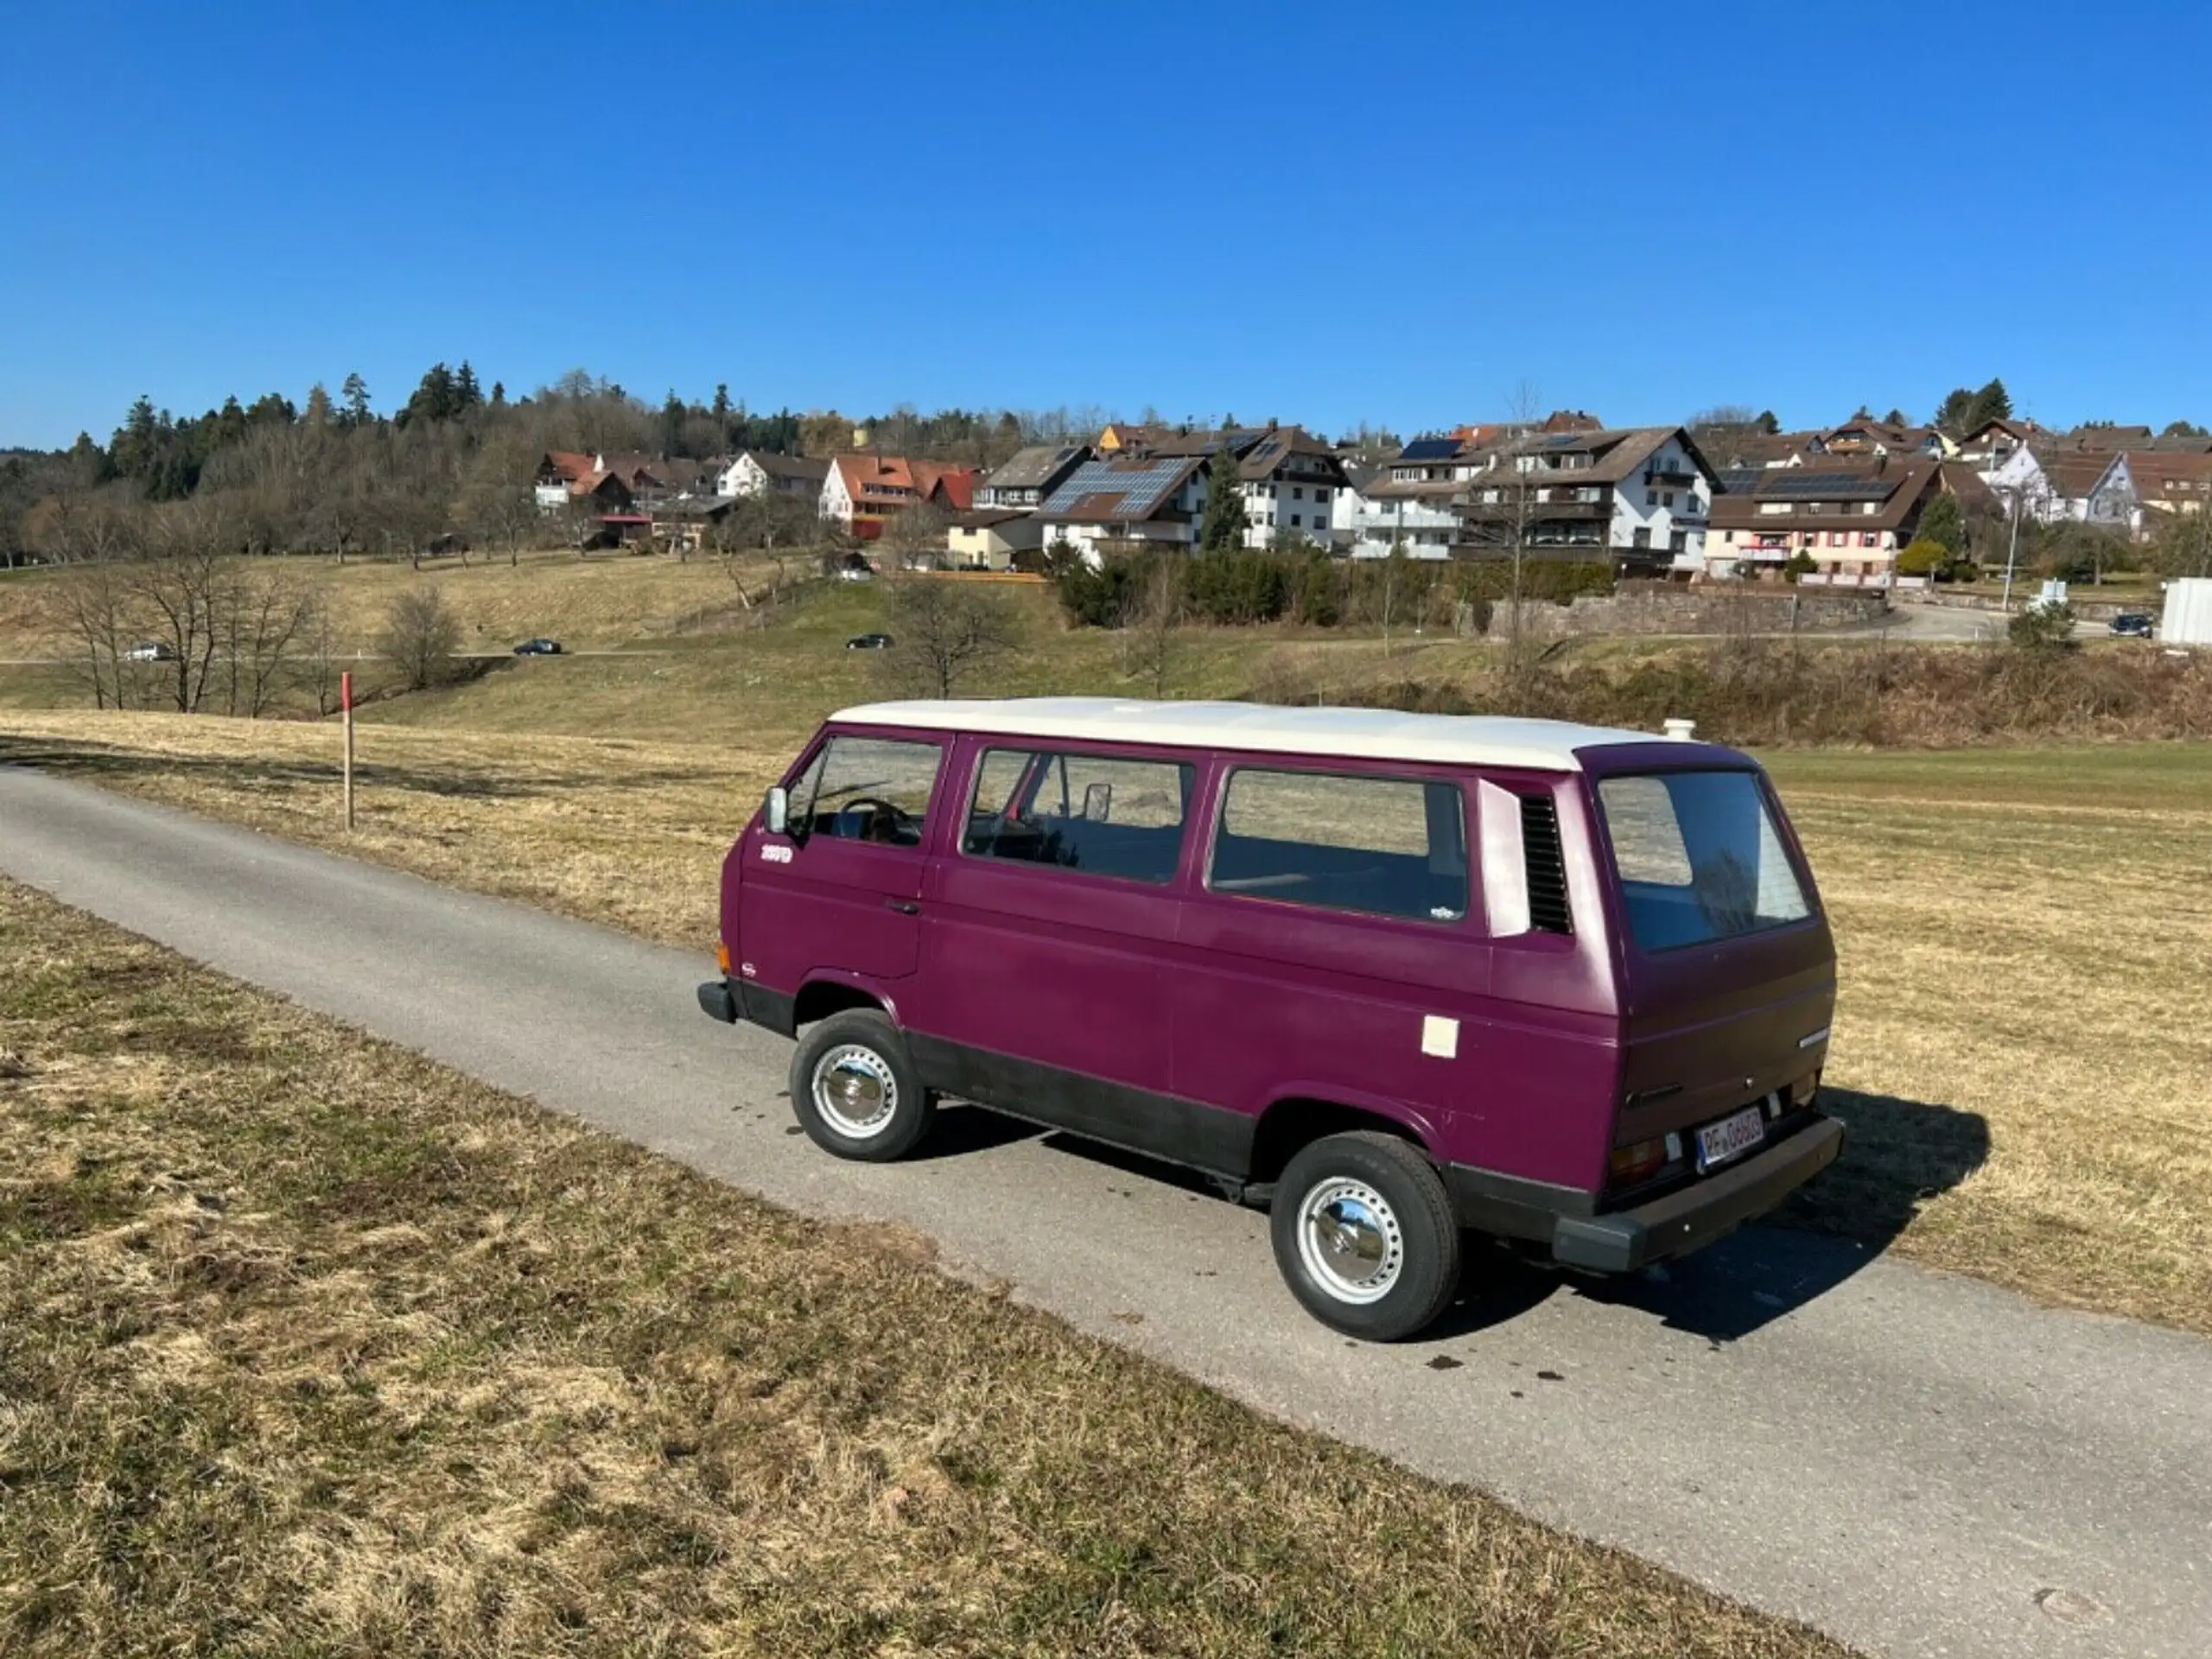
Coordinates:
1850 519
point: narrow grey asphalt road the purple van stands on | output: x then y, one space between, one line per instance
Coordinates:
1919 1465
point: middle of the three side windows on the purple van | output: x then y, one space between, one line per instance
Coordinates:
1094 813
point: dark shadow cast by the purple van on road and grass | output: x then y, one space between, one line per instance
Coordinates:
1899 1154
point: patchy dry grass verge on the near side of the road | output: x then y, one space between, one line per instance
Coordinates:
309 1346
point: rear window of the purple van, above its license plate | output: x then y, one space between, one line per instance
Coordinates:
1700 857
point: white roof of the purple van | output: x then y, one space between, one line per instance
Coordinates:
1361 733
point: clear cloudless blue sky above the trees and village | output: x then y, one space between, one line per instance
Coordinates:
1306 211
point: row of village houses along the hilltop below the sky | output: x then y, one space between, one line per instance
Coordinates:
1837 505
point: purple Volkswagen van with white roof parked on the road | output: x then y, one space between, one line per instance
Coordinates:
1392 977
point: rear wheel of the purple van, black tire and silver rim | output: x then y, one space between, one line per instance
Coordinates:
1388 1198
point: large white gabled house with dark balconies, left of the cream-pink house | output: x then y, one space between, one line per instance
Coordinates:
1636 497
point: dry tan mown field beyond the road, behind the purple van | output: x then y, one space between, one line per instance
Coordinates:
2025 963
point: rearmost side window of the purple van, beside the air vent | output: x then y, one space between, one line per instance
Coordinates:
1364 844
